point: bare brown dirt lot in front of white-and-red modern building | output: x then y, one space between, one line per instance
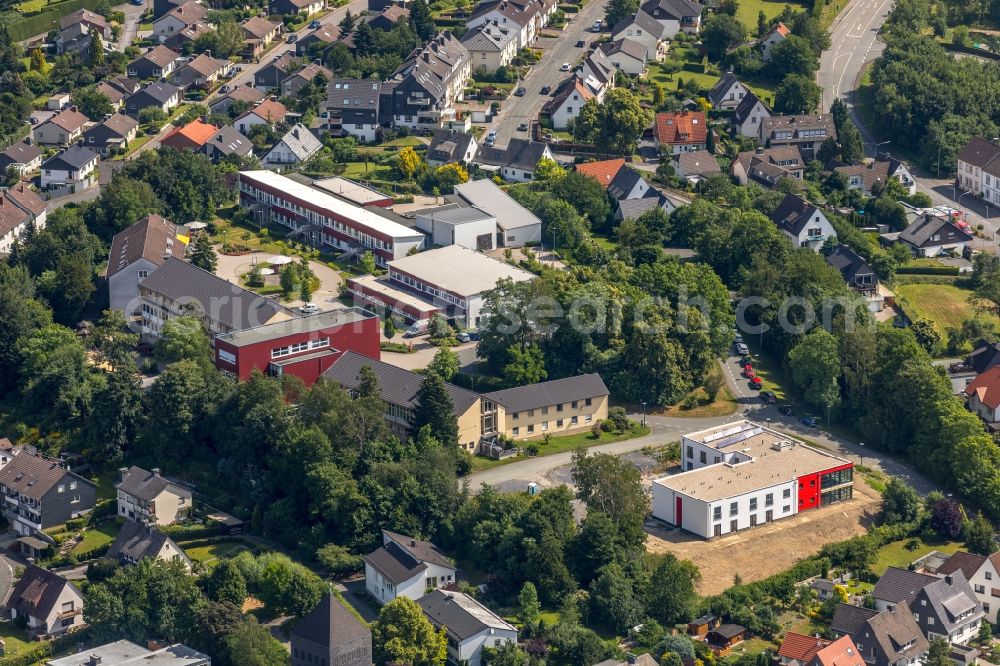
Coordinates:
766 550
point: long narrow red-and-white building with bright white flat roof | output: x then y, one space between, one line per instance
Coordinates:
331 220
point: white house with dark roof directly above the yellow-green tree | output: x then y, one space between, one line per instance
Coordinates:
406 567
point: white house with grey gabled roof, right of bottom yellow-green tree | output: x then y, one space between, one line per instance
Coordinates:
470 625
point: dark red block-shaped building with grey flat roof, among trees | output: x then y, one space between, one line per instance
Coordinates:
304 346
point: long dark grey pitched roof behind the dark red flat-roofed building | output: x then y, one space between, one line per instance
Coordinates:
227 303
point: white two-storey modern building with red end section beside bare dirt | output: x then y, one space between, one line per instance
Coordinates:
742 474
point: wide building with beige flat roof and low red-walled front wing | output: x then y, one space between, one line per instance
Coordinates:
451 280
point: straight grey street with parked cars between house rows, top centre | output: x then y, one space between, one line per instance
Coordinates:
546 72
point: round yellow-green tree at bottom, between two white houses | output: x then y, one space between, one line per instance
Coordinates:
403 635
